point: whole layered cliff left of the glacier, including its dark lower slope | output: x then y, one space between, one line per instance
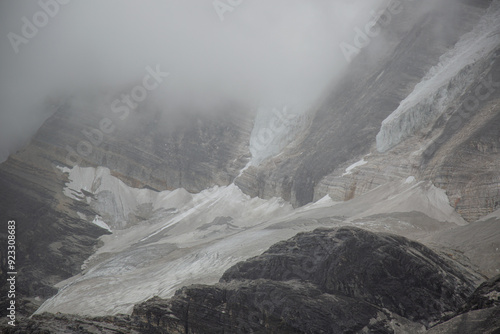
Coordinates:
54 237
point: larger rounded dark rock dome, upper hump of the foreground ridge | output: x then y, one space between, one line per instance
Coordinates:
387 270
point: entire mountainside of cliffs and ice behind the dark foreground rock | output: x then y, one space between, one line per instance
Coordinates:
406 142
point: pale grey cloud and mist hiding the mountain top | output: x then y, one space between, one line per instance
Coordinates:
263 52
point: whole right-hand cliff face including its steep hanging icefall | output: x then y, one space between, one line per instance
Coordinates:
407 107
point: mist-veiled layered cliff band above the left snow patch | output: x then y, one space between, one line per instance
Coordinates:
193 150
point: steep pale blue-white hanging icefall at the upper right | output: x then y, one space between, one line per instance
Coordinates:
443 83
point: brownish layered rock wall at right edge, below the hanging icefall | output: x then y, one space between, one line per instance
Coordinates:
464 158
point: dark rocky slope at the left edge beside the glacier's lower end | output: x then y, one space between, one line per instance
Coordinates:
52 241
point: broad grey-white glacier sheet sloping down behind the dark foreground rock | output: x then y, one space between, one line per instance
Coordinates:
210 232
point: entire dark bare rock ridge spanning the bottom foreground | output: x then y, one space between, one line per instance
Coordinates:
314 283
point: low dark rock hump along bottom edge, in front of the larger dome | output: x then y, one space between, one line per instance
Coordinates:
265 306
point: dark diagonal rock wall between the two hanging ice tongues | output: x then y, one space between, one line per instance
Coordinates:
345 124
